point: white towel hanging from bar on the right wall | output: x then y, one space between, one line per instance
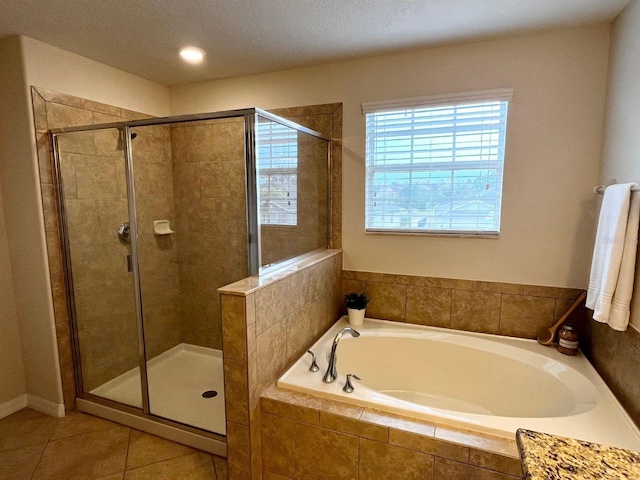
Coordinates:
611 271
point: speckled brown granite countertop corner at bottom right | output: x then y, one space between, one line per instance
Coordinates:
549 457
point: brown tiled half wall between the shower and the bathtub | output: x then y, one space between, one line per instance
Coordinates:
267 322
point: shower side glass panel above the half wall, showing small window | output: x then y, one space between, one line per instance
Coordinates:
293 195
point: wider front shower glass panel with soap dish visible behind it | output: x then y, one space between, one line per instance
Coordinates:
190 194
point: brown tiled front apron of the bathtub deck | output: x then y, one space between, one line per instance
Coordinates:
308 437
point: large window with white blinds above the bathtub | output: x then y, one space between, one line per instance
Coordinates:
434 165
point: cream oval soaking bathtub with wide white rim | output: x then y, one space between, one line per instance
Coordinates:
482 382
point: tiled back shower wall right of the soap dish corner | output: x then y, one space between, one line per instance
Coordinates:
209 173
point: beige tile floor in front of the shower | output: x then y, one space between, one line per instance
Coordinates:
35 446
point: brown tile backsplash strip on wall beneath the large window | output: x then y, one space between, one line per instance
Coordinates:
508 309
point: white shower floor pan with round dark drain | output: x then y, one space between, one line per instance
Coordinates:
177 379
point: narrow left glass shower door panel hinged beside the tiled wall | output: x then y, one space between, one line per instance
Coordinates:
94 197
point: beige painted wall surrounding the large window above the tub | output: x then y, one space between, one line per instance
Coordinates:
553 146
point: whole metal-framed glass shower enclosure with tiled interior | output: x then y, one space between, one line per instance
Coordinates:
157 215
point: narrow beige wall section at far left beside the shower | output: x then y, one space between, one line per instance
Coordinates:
25 232
